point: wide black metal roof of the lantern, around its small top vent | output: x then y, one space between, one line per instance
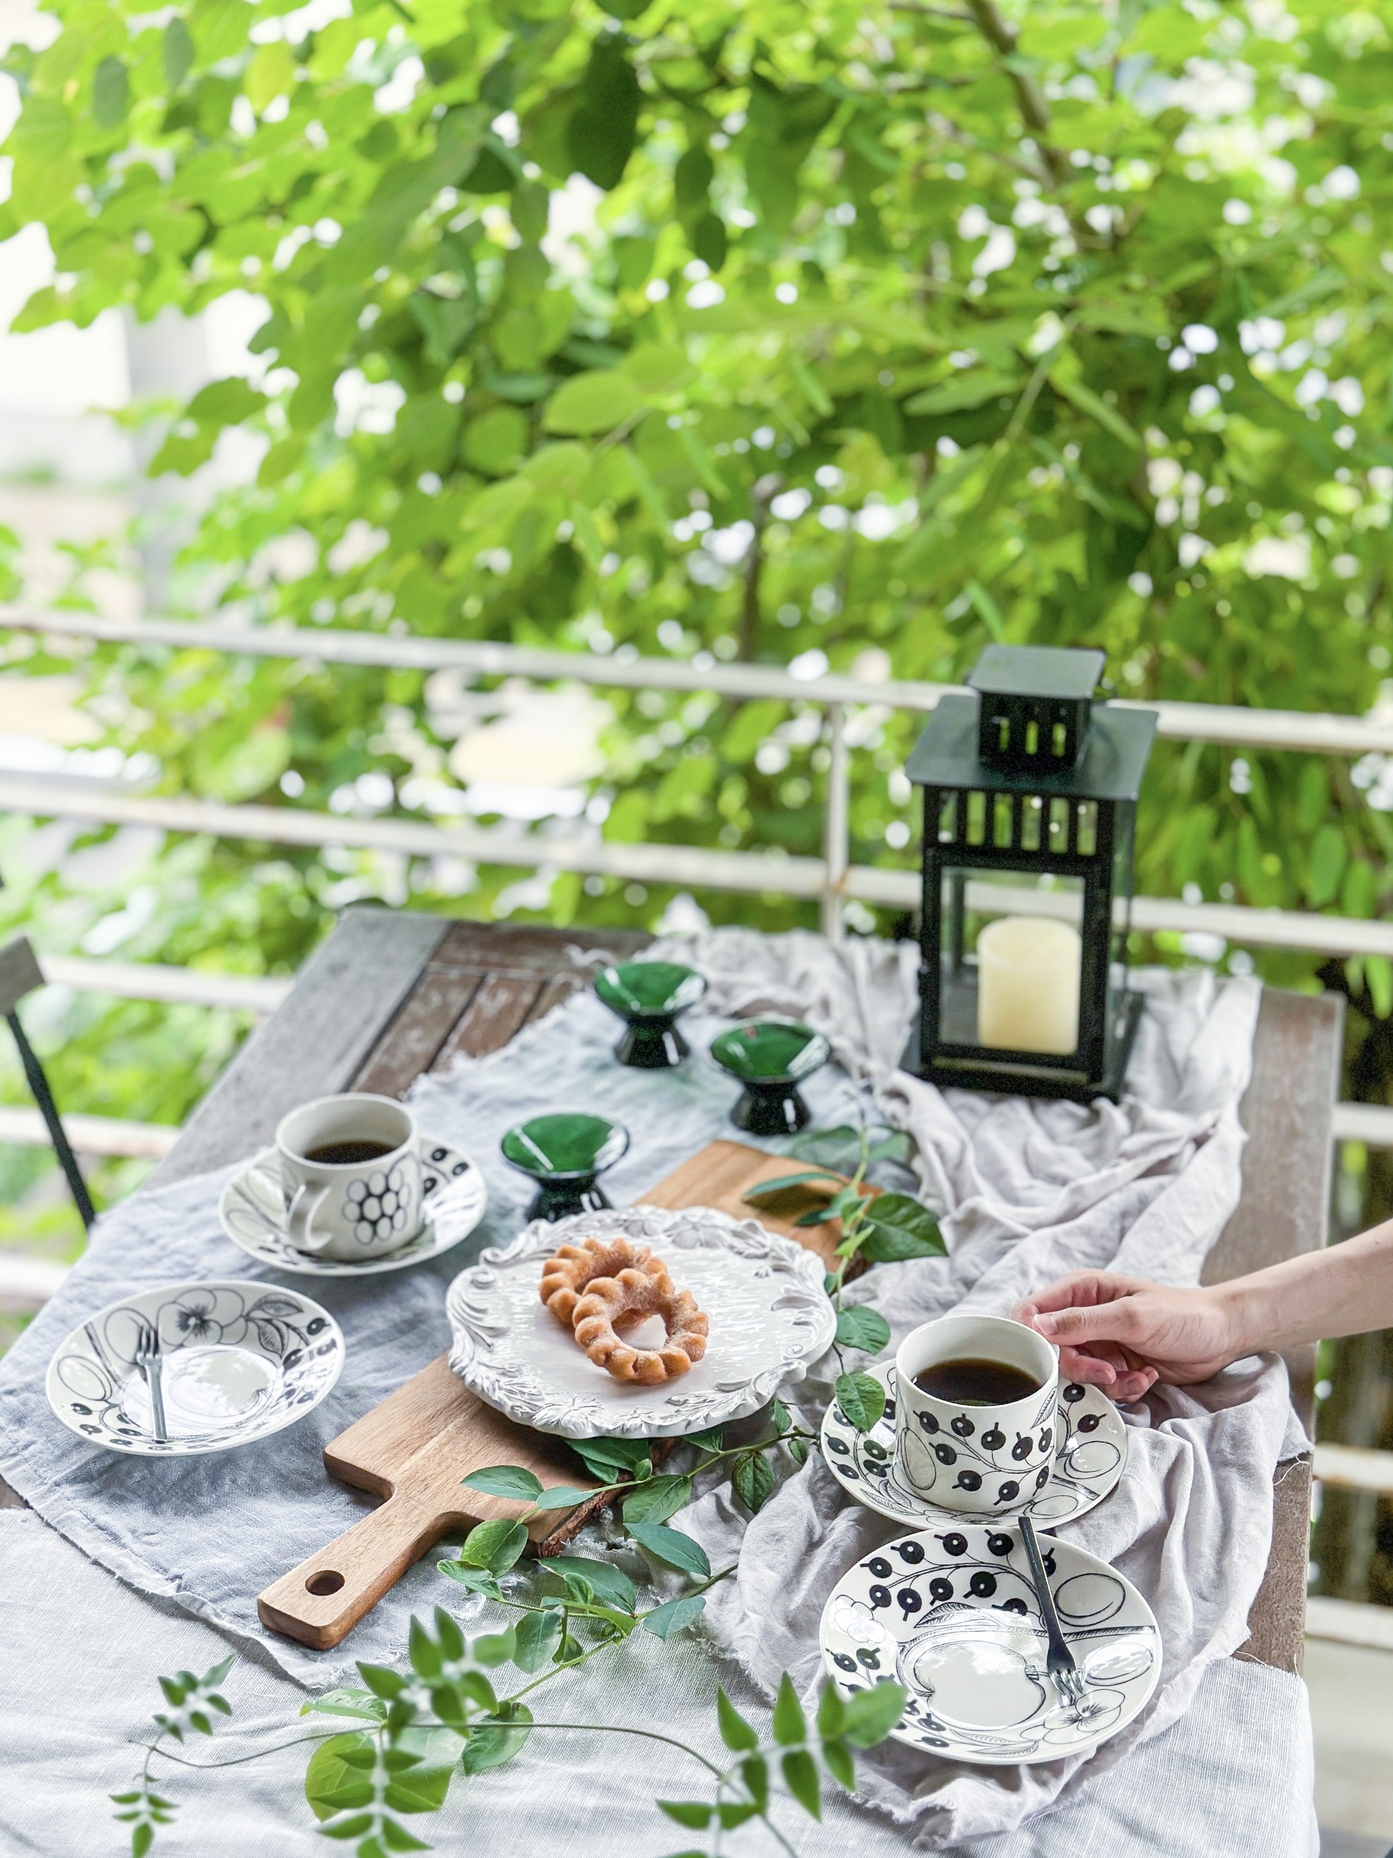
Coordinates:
1112 766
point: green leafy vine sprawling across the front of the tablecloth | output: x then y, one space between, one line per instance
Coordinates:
415 1731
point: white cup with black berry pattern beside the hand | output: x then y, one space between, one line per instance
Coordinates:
982 1461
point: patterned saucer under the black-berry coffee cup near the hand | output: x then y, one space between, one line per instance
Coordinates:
1089 1461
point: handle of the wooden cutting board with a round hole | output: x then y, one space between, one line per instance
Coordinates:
326 1597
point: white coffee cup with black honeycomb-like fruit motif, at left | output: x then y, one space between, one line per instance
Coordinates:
350 1210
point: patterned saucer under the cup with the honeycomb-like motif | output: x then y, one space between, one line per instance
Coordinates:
254 1212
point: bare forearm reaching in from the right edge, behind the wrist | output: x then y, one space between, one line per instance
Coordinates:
1336 1292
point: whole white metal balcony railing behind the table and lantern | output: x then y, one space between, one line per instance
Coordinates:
831 878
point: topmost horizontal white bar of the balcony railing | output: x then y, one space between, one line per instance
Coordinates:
1230 726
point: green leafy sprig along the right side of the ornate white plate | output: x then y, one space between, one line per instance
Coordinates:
878 1227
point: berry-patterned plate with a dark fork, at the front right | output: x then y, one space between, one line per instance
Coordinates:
952 1616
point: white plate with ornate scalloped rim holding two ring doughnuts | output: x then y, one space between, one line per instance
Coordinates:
762 1296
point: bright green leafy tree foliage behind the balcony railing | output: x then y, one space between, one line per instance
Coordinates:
746 330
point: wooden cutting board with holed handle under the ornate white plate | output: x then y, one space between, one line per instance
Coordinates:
415 1446
